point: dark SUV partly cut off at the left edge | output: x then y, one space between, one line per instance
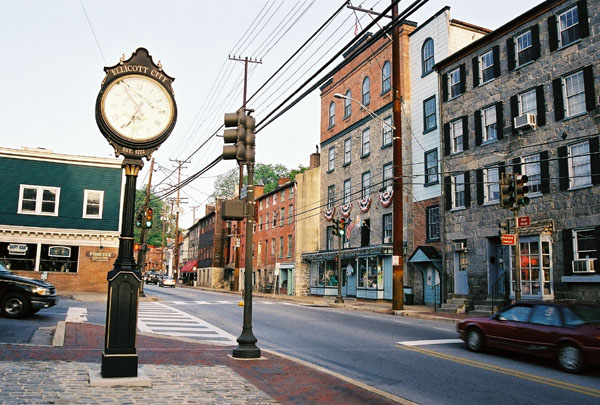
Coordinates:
23 296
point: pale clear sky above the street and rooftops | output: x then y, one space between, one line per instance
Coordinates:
54 51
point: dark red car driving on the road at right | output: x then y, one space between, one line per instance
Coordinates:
566 332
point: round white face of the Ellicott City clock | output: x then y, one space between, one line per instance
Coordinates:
137 108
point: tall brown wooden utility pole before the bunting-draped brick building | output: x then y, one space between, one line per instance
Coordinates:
398 214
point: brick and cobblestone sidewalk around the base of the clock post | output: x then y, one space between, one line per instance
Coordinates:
181 372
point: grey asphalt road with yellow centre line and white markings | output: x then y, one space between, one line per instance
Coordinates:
429 366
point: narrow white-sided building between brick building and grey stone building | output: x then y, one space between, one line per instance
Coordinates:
432 41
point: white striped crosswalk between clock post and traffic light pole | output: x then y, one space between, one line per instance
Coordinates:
157 317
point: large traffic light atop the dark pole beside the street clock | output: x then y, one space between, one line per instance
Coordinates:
239 137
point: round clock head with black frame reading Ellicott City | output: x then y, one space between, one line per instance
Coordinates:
135 109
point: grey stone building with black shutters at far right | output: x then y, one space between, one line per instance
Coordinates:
523 100
